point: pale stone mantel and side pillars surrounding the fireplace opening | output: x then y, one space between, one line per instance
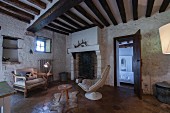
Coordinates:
94 48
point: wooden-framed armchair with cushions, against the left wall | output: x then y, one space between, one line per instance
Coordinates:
28 79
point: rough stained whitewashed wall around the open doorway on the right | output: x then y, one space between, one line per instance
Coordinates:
156 66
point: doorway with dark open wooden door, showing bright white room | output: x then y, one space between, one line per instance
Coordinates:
127 61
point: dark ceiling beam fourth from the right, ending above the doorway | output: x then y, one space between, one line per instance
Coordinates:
121 8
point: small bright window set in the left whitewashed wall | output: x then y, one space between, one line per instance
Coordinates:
43 45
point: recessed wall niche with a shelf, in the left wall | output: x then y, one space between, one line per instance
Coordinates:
10 50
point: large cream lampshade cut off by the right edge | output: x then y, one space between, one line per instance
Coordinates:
164 32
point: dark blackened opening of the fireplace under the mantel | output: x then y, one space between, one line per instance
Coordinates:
85 65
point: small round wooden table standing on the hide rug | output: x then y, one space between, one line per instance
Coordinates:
64 88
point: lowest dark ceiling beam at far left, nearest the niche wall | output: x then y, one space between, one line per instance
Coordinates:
14 15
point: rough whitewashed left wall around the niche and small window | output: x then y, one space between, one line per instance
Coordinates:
16 28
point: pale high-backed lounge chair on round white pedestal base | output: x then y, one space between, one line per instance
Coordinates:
90 86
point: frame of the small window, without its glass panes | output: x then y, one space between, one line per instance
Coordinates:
43 39
